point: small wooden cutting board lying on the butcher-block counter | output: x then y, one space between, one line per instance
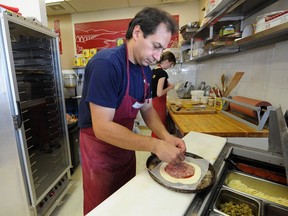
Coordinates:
193 110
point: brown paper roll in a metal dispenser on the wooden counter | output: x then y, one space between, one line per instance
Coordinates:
249 101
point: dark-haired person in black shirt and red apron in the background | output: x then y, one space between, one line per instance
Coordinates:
161 86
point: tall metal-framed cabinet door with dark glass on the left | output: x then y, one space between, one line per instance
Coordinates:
37 108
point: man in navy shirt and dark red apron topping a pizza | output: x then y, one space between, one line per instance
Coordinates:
116 86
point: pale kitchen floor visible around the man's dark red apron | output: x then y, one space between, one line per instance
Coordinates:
72 203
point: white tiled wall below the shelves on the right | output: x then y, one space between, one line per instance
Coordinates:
266 73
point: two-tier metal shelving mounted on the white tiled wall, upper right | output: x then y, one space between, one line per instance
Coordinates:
235 11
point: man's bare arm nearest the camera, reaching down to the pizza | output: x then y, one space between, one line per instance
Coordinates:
105 129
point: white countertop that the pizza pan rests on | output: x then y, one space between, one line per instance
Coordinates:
143 196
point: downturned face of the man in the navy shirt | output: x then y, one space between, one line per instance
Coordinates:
148 50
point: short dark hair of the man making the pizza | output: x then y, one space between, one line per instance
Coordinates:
149 19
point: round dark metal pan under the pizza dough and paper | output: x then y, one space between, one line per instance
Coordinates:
203 185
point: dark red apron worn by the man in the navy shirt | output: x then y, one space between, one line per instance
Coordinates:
105 168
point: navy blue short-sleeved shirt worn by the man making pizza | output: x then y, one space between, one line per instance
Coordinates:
105 82
